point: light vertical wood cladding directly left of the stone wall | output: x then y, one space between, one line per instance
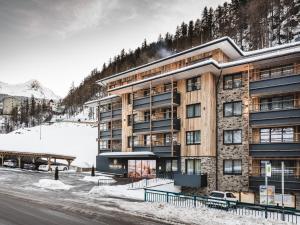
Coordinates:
206 123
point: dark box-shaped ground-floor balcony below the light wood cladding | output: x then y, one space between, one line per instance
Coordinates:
190 180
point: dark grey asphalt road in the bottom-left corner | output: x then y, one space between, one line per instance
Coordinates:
18 211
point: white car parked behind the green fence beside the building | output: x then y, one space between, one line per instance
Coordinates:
222 199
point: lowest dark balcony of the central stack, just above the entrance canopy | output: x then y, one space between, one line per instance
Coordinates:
161 150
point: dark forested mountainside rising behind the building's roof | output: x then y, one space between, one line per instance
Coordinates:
252 24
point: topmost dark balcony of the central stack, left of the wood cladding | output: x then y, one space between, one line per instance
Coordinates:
158 100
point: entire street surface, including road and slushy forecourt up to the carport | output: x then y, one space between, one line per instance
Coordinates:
22 204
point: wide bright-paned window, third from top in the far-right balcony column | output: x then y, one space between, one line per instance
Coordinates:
276 135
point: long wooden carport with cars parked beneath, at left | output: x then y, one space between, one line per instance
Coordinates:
32 157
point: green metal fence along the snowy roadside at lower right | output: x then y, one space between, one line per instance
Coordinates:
239 208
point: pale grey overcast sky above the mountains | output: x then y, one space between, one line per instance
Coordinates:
61 41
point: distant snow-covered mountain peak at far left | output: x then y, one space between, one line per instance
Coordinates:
27 89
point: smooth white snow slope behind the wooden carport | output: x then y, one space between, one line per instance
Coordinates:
77 140
